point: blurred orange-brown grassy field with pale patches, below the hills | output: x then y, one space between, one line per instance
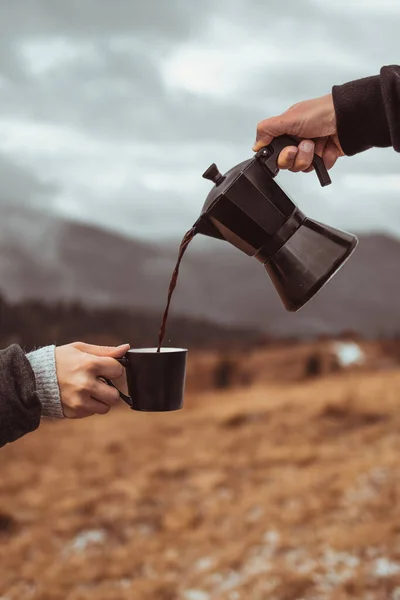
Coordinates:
280 487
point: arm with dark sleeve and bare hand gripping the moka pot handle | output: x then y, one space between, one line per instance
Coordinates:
356 116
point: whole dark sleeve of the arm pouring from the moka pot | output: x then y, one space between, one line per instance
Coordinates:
368 111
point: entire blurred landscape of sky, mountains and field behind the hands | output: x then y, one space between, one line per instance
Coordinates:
280 479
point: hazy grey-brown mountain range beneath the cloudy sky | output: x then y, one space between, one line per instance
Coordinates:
44 257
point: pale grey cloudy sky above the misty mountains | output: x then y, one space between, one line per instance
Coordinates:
110 110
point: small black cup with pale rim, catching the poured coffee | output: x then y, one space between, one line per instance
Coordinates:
156 380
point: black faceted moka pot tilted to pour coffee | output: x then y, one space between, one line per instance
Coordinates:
247 208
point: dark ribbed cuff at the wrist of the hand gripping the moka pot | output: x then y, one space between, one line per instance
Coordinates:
360 115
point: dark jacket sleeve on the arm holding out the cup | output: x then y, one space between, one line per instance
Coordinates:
20 408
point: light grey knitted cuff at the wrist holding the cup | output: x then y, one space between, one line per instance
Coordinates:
43 364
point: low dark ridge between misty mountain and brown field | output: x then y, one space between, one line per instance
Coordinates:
34 323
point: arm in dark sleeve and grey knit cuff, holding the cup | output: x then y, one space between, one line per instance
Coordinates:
55 382
